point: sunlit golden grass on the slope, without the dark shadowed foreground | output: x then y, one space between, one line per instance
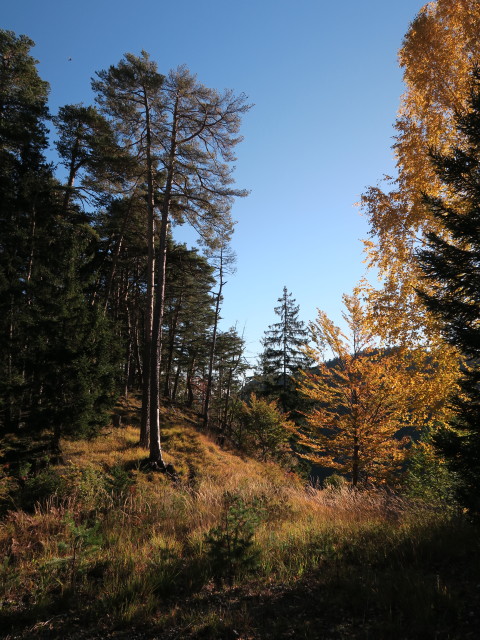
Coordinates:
124 542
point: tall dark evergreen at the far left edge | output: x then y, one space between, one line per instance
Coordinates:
24 199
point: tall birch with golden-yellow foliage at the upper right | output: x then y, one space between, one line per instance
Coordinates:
437 56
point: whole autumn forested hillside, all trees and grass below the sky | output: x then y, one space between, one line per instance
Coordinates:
153 481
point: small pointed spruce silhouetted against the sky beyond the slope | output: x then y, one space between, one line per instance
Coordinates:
282 356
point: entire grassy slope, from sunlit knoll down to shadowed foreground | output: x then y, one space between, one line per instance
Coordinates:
120 552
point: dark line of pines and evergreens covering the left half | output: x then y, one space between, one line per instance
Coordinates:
96 296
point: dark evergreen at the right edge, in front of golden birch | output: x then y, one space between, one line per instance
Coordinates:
451 266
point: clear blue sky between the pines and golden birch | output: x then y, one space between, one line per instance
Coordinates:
326 86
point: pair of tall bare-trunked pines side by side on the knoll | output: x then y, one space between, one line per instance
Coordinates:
186 133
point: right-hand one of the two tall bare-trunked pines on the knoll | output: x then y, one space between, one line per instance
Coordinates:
199 136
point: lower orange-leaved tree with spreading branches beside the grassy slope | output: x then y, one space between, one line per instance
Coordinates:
365 396
